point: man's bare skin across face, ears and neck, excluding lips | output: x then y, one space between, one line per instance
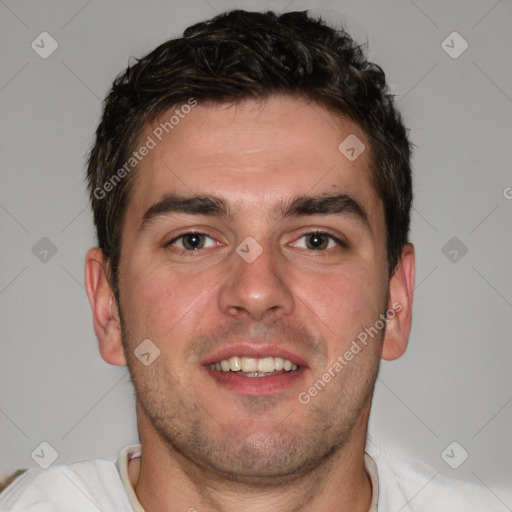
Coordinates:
208 447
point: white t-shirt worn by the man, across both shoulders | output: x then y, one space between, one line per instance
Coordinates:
398 485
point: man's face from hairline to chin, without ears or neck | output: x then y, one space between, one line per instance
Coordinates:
305 297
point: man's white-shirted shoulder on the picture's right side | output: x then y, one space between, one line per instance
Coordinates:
406 483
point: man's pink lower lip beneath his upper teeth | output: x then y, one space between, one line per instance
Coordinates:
256 385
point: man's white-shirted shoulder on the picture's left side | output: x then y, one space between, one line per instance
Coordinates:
87 485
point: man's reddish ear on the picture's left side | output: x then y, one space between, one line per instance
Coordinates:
104 307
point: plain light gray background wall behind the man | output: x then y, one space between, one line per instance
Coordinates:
453 384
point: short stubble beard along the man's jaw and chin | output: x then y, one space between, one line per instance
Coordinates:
304 438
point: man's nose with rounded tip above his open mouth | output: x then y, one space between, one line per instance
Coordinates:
256 289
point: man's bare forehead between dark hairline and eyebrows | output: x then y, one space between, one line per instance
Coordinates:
255 154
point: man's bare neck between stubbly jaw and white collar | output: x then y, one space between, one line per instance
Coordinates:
169 482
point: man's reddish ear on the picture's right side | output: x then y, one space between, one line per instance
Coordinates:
401 288
